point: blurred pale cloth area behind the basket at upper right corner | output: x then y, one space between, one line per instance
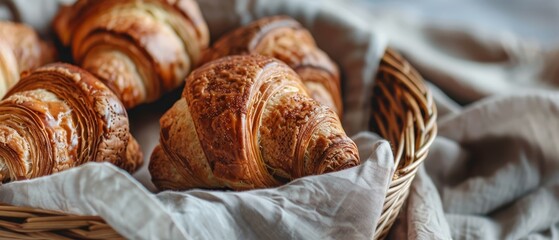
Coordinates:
474 49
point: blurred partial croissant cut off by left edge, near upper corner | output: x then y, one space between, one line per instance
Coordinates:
21 49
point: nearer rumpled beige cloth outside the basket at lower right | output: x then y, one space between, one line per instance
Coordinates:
492 174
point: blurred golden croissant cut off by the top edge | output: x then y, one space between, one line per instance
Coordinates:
140 48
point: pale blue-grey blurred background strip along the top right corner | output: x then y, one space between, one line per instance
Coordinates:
535 20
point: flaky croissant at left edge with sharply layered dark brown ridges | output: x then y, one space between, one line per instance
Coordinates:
58 117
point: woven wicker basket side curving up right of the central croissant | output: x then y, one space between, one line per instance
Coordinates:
403 112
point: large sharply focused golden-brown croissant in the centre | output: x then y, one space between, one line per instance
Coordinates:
246 122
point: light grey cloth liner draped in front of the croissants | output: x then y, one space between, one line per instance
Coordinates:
345 204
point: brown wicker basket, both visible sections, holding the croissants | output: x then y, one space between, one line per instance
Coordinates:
404 115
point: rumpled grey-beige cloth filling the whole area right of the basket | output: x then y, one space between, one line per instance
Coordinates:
493 171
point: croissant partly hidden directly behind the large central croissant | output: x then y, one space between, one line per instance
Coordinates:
285 39
